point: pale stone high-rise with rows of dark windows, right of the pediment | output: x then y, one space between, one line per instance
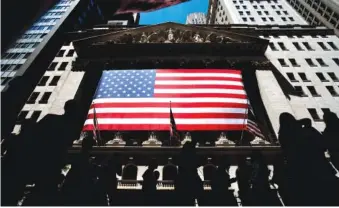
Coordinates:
307 59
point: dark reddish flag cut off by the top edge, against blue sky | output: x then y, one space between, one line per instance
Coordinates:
137 6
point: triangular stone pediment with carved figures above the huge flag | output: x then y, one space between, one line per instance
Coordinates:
170 33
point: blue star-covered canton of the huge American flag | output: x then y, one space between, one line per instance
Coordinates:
126 84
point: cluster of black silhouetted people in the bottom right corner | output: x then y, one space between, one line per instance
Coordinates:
304 174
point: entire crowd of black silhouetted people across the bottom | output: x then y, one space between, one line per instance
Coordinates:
303 174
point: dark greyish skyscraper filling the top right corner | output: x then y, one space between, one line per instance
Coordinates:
323 12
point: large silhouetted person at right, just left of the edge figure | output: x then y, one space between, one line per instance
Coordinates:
308 172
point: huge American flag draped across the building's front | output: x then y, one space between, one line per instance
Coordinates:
201 99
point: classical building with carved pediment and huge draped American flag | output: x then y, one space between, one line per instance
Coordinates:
142 92
